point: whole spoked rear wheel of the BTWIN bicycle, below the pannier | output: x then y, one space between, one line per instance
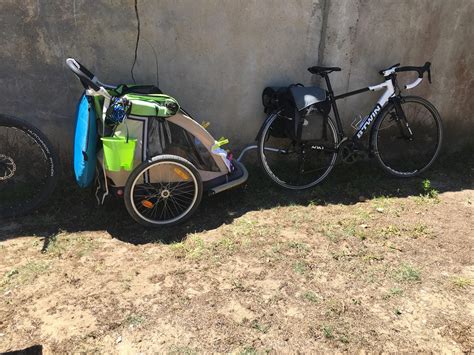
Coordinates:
296 166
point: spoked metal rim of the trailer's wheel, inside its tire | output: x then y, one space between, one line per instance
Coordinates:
164 192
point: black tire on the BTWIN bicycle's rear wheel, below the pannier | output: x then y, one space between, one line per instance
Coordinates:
278 180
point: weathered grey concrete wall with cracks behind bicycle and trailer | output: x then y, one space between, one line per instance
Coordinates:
215 57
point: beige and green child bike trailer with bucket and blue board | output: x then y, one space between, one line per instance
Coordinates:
140 144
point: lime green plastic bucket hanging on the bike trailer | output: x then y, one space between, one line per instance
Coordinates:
118 153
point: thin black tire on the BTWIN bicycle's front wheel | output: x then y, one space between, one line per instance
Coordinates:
384 161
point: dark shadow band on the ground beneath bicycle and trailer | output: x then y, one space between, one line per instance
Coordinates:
73 211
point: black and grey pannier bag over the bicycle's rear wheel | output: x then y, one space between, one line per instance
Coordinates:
303 111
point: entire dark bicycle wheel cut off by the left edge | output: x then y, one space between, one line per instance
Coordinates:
28 167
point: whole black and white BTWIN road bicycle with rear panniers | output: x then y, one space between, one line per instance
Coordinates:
299 142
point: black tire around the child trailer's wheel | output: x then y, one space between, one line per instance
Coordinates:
185 167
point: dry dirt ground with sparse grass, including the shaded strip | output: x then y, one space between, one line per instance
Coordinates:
362 263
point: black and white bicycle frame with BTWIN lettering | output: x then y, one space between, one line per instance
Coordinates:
367 121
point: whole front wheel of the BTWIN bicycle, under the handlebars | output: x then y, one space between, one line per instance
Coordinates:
407 139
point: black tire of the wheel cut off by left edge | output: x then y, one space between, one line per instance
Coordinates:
50 158
